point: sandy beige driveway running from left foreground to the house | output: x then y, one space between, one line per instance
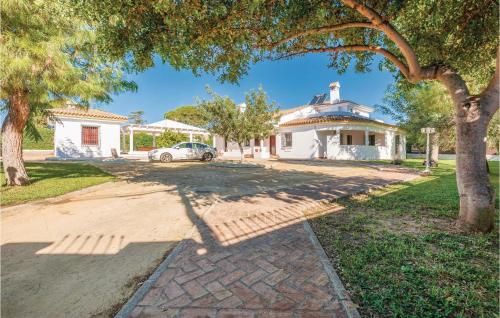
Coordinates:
82 254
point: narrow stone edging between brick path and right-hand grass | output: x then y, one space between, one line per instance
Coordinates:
335 282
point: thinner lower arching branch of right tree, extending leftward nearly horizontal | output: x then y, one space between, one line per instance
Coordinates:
357 48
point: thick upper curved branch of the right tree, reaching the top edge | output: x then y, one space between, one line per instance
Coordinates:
380 24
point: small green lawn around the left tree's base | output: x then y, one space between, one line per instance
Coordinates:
52 179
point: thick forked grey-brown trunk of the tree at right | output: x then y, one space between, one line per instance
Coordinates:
473 113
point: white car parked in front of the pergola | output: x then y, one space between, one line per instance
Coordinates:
184 151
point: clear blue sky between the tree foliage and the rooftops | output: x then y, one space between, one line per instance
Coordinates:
289 82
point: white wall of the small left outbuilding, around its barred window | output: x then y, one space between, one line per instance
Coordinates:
67 138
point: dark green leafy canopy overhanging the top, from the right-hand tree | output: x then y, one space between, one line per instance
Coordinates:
226 37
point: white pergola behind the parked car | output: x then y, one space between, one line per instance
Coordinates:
159 127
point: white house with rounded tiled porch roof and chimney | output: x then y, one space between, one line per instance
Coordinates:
327 128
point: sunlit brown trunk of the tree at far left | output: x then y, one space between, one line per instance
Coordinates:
12 139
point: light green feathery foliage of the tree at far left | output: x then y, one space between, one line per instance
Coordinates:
48 51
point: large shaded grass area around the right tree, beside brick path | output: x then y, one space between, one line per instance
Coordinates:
400 255
